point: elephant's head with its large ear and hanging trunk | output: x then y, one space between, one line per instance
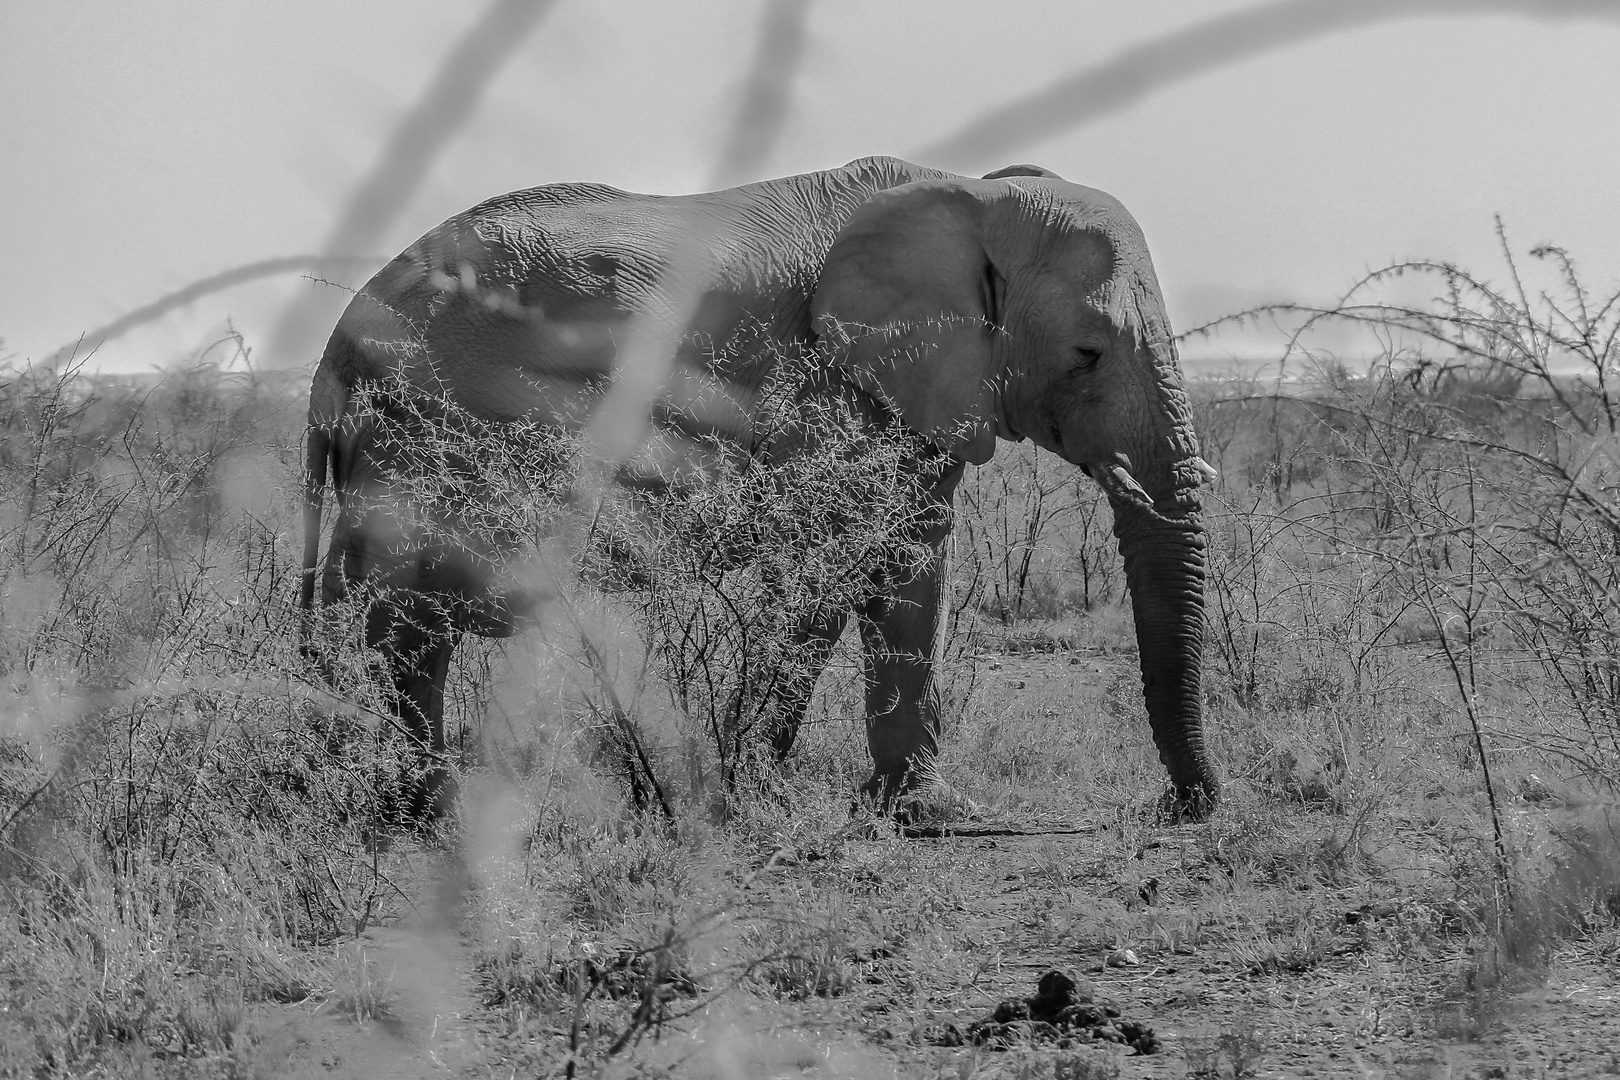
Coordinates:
1026 307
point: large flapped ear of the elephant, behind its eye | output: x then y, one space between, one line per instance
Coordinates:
910 302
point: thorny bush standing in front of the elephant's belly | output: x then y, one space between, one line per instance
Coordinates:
717 576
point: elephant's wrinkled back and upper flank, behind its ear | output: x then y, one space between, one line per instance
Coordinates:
518 307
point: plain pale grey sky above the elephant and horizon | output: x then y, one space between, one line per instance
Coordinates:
150 145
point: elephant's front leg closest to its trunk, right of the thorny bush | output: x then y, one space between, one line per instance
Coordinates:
900 632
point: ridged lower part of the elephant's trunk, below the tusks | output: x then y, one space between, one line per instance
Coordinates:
1164 568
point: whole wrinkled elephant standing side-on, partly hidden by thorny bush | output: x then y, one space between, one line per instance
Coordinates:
968 310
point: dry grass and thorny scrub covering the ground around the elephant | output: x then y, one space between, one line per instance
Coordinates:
1412 692
